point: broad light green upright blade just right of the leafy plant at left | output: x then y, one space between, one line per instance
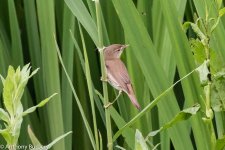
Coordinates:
50 68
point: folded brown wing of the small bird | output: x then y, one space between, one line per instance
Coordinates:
119 73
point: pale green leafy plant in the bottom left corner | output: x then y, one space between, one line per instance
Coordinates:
13 89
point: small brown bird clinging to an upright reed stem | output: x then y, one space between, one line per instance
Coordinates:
117 74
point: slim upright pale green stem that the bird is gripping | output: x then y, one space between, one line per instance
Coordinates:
105 89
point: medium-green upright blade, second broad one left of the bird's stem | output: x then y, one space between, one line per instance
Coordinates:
68 59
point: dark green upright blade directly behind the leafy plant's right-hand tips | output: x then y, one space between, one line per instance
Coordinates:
36 61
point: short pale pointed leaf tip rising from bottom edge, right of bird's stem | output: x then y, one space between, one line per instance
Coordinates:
140 143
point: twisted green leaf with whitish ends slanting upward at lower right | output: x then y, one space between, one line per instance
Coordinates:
183 115
